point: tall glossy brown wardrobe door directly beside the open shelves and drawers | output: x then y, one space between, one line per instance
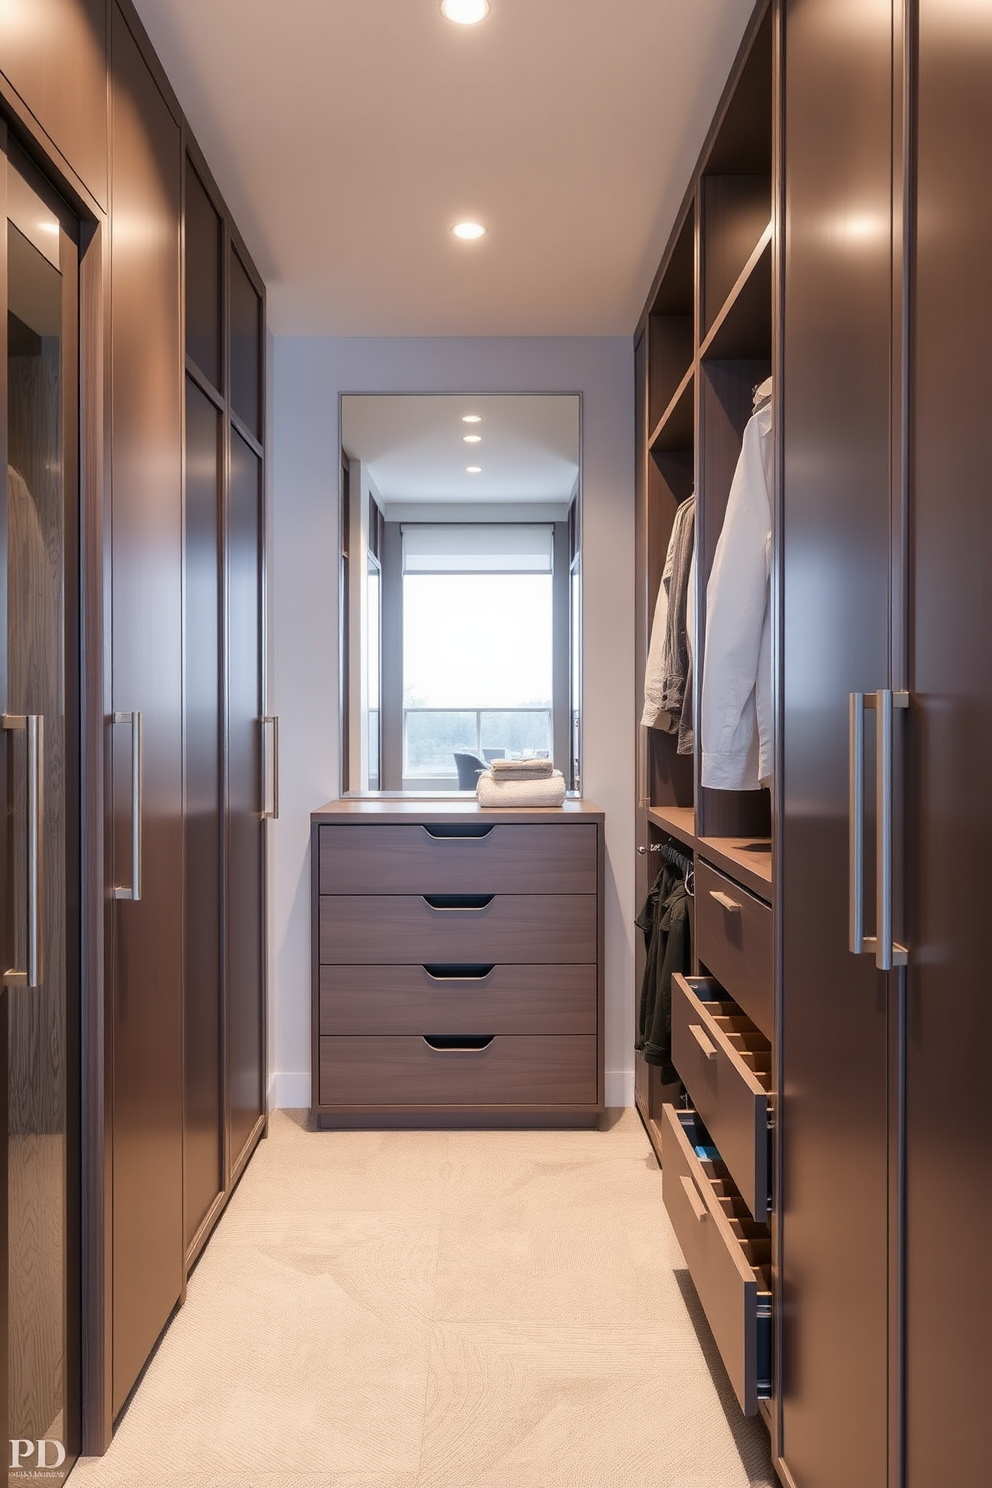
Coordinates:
837 586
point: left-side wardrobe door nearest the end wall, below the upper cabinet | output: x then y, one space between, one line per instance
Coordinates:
246 886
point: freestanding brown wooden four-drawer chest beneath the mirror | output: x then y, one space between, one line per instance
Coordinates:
457 971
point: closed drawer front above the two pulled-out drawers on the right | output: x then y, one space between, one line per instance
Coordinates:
734 941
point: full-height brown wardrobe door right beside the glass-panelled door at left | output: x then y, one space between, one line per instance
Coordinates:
148 803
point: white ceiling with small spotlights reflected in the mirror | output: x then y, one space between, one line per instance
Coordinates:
414 447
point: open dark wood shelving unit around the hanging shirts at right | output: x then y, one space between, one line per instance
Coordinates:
706 343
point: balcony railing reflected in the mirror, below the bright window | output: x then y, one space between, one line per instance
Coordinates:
434 736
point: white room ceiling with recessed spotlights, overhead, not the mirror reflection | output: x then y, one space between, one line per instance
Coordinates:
349 136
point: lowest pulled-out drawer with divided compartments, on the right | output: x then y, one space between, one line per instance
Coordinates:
729 1257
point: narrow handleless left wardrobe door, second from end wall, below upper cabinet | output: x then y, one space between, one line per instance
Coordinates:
203 1029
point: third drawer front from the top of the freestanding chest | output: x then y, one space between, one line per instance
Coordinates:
451 999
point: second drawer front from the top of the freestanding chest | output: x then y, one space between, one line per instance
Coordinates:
506 929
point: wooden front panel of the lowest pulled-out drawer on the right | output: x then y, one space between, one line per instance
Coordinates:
722 1274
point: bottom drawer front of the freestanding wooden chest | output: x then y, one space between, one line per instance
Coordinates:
383 1072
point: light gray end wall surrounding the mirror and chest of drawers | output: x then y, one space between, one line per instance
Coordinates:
309 377
